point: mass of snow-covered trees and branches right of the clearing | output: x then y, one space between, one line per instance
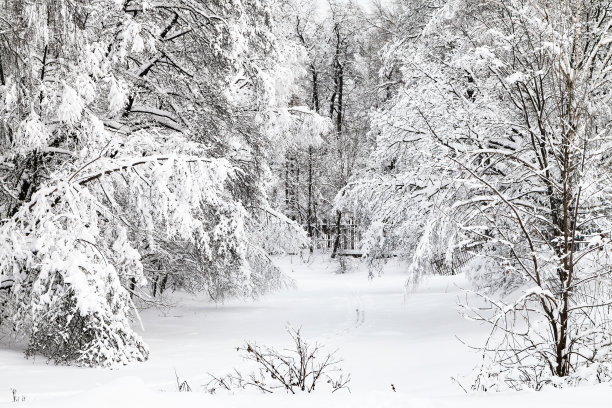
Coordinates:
496 147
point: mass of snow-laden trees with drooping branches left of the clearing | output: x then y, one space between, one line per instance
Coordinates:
134 141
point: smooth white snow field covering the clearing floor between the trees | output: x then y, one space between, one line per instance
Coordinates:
384 337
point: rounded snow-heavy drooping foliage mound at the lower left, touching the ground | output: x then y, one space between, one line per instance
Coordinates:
66 295
